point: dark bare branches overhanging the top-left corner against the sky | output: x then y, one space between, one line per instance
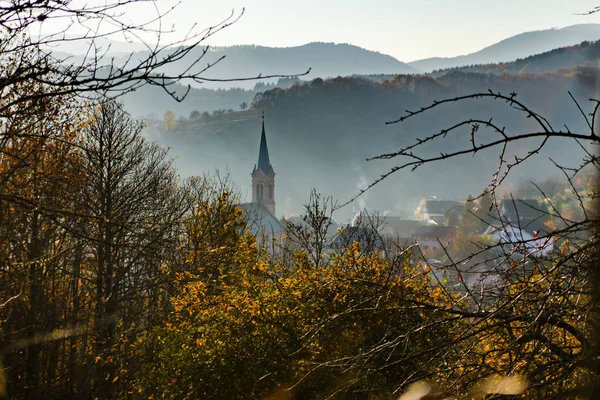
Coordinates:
98 71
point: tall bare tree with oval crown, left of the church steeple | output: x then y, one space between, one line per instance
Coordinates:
134 205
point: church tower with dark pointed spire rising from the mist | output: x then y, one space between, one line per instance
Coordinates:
263 176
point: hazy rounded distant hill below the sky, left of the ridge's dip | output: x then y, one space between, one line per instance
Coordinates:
325 60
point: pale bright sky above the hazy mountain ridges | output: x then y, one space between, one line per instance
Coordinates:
406 29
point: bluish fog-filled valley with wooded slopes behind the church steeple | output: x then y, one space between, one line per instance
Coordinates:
320 132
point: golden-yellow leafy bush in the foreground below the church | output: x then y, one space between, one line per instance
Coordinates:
260 317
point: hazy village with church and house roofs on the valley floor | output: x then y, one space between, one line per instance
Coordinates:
441 233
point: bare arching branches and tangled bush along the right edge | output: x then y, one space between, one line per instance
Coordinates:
523 304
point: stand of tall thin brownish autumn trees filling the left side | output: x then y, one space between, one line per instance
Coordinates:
91 213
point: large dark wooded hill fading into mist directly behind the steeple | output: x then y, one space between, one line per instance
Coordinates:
321 132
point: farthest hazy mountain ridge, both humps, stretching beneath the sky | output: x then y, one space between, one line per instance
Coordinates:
328 59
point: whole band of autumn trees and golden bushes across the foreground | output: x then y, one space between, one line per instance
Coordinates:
123 281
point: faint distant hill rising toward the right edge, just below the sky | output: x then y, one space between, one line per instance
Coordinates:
519 46
